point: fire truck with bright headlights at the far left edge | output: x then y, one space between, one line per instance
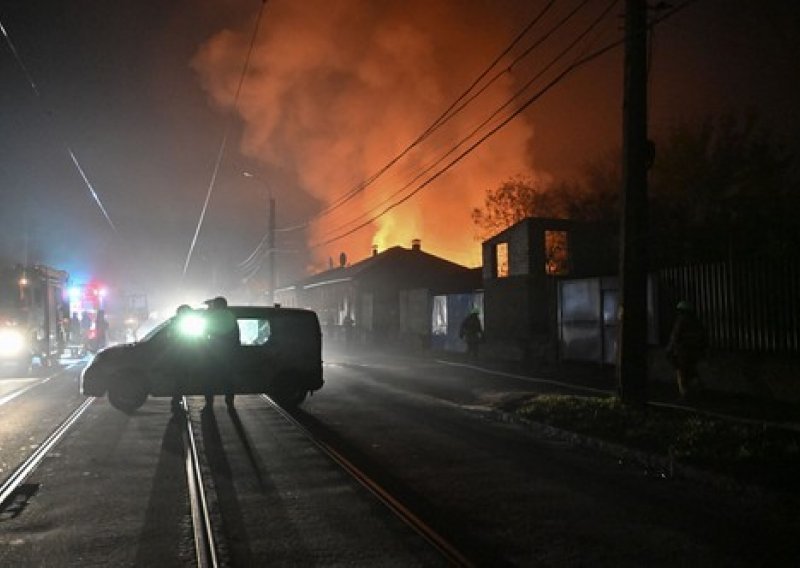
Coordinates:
33 314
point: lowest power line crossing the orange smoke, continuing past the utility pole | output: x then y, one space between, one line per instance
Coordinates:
575 65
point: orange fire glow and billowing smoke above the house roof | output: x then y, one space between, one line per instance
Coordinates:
336 90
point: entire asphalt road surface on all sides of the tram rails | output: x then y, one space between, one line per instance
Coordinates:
113 492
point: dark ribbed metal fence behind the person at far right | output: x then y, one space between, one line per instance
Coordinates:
747 305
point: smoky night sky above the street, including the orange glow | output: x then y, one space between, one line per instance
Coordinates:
142 93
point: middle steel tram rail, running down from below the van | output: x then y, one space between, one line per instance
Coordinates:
204 543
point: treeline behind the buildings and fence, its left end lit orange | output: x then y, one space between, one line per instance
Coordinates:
718 188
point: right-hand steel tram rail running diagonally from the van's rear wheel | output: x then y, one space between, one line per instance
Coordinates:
451 554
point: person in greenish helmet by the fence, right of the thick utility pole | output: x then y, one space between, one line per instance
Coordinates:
687 346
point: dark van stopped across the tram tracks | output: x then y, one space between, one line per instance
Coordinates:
279 354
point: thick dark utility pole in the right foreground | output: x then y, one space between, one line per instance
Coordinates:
632 338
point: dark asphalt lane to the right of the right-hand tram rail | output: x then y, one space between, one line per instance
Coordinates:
505 495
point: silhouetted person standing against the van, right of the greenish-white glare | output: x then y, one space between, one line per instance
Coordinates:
223 339
